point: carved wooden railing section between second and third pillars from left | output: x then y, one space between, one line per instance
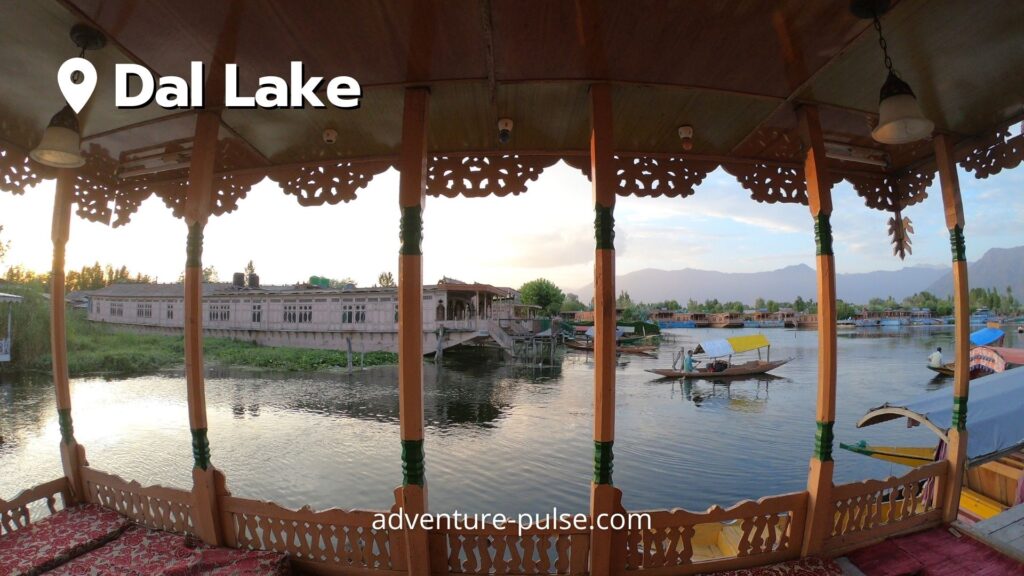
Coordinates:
320 543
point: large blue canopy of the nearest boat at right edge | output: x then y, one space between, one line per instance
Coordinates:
994 423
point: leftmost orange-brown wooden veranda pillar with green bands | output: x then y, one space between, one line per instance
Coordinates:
72 457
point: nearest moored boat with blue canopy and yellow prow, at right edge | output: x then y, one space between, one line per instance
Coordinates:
995 479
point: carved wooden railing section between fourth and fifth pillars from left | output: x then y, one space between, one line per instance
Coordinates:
748 534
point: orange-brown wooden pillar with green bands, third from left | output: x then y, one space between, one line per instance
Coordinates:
412 498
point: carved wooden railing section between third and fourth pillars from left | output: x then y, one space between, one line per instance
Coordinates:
490 551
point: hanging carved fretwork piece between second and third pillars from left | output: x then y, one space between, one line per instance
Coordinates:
316 185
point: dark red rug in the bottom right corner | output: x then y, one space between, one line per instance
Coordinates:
934 553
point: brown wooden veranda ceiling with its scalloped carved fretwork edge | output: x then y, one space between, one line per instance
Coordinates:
530 61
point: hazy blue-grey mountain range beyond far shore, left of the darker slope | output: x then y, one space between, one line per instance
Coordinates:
786 284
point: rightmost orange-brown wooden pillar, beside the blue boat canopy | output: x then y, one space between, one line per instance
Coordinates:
957 449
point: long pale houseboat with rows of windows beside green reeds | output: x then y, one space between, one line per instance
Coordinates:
305 316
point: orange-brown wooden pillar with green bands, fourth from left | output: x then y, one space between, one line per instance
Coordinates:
604 497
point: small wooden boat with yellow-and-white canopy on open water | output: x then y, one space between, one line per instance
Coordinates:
715 351
